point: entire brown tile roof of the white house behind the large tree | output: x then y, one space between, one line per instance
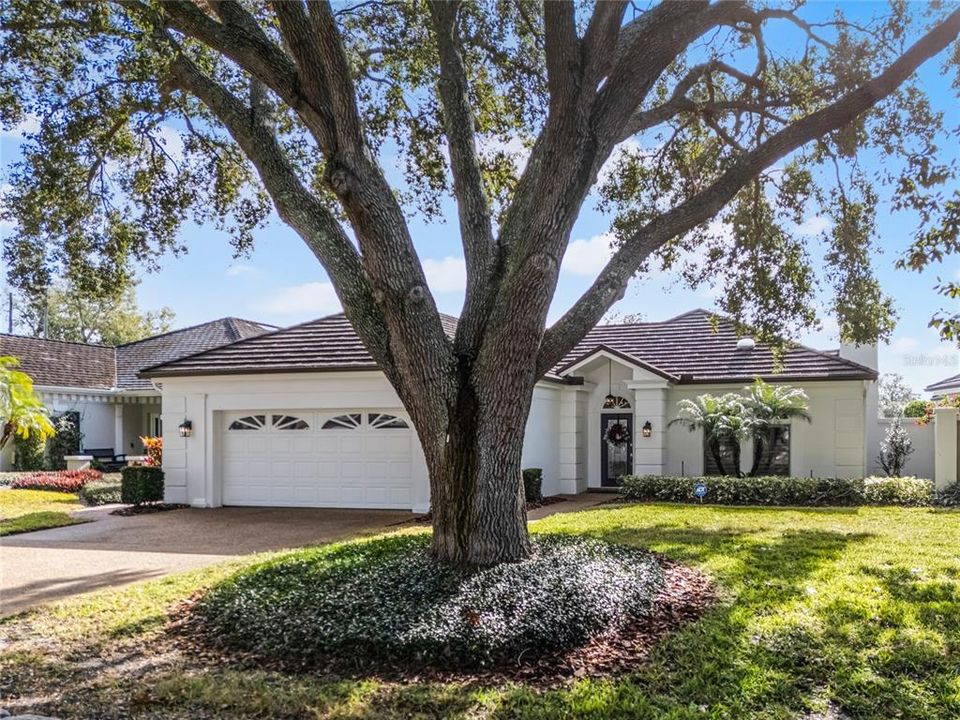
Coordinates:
684 349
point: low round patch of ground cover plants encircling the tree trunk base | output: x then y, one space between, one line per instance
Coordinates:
386 600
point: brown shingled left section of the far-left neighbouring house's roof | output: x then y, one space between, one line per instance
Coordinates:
62 364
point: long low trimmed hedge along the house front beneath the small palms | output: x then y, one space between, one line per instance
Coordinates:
723 490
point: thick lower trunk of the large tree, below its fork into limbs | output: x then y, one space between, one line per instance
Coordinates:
478 506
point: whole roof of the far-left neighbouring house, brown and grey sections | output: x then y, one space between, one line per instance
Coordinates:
102 367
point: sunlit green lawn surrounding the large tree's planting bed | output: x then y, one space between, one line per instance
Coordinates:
853 611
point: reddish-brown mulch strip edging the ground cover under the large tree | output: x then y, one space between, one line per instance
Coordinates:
686 596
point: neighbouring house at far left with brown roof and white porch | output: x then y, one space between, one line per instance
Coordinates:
99 384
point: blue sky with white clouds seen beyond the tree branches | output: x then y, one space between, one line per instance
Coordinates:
282 283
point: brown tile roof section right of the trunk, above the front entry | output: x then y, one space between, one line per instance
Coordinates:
686 349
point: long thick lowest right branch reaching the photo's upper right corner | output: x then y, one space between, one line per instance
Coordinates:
611 284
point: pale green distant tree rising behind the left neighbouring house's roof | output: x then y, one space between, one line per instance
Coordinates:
66 313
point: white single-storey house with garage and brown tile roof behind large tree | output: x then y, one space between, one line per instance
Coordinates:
303 416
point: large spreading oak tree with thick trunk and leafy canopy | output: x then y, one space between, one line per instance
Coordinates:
295 104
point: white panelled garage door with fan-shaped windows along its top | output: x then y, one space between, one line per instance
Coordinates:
345 459
